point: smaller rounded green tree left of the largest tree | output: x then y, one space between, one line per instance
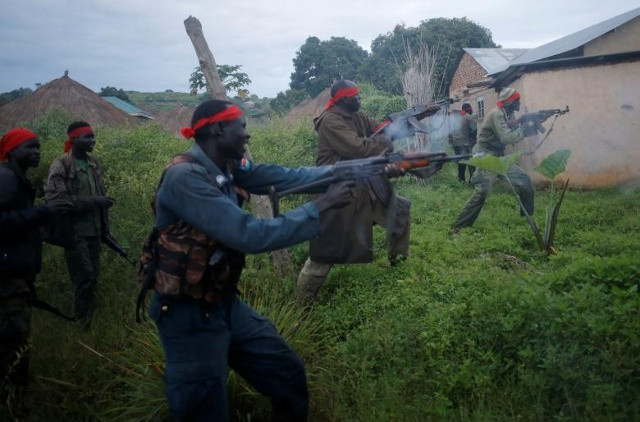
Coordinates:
318 63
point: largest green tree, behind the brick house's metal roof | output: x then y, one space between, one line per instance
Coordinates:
446 37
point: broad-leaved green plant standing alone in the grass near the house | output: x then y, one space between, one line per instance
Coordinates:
551 166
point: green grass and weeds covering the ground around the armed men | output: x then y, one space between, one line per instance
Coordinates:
473 327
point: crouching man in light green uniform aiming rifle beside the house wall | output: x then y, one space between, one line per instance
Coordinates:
494 135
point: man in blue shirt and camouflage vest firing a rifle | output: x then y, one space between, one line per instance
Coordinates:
201 236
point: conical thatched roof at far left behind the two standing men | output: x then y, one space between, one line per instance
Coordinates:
68 95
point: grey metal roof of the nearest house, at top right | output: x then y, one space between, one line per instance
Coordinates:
573 41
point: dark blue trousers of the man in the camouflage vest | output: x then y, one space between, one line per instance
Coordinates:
202 340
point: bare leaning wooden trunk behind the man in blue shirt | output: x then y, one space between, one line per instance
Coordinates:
281 258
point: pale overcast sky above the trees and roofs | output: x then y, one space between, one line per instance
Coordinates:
142 45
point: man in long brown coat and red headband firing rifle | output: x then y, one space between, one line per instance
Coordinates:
345 133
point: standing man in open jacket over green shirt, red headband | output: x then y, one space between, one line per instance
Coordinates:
76 176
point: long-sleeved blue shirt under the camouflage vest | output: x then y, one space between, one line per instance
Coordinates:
202 196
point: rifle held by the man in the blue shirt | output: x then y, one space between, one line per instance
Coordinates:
362 169
